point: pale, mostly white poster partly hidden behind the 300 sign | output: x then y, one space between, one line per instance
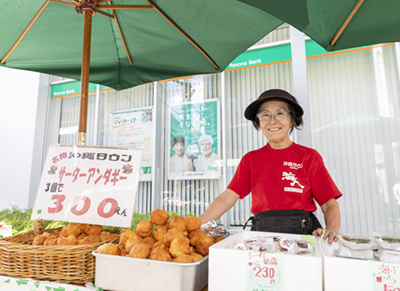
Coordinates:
133 129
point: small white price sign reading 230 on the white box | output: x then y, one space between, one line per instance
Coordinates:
264 271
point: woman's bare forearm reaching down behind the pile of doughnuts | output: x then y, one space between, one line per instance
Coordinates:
219 206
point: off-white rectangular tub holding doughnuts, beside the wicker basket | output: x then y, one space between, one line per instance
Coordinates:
131 274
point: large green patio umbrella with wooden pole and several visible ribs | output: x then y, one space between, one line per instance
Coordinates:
125 43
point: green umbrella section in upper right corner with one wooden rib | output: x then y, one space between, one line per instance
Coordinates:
339 24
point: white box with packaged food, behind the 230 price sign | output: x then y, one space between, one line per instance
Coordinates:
227 267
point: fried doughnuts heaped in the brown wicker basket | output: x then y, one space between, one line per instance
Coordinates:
75 234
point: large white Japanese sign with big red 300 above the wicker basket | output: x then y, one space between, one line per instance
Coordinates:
93 185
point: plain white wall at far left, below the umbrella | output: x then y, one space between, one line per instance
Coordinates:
18 133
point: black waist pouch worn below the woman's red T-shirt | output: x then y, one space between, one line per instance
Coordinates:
285 221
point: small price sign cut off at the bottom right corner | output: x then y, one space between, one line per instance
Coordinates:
385 276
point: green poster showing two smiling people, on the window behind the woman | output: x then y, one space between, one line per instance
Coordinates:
195 141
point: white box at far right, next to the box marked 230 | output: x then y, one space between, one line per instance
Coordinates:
344 273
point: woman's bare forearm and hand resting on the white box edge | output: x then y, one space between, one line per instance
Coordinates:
332 220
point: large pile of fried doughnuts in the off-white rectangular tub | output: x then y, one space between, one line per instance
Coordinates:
178 239
